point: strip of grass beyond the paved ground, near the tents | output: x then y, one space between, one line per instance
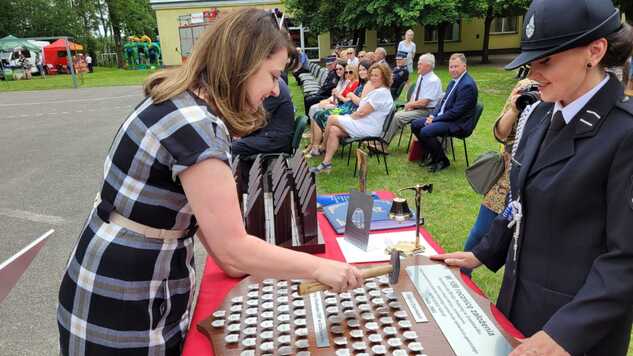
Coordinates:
101 77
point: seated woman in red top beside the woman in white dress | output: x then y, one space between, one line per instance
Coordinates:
347 102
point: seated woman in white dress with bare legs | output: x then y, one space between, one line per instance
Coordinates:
366 121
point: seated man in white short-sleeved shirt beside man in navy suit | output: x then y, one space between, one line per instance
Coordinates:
426 95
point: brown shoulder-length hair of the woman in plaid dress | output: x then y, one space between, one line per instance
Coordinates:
224 58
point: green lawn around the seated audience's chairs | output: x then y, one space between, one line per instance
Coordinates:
452 208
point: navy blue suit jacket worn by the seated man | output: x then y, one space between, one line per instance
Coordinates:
460 105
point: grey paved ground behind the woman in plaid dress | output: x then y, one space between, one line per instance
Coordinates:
53 147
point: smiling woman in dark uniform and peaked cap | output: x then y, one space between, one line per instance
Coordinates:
568 249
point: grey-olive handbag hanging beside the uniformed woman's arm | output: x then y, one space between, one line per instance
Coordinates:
485 172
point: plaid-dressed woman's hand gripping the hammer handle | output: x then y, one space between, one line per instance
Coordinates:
338 276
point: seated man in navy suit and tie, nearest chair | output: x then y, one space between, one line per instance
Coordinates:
453 116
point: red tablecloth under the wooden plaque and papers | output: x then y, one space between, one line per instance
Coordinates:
215 285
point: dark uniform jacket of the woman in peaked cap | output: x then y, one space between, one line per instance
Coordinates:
573 272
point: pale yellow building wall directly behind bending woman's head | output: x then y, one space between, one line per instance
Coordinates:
167 21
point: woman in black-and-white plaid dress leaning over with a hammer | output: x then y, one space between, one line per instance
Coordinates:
129 282
